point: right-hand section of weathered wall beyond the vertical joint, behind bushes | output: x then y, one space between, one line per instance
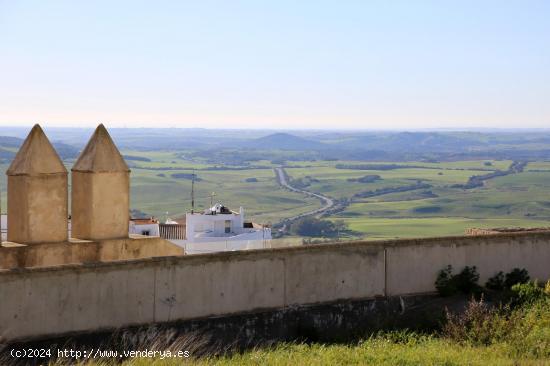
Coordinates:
412 268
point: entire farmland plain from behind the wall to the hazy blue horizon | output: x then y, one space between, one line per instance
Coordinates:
374 199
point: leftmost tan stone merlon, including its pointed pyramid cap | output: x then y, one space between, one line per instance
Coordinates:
37 193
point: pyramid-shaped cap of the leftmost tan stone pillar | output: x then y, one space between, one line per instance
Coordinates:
36 156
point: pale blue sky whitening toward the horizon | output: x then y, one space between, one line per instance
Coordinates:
281 64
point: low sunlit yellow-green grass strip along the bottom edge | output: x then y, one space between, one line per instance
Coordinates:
378 351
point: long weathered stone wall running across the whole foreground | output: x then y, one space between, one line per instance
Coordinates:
65 299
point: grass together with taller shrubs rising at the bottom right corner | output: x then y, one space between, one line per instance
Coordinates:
480 335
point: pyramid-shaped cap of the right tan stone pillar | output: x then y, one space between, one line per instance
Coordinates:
100 155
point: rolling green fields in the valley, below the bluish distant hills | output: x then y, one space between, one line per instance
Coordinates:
161 187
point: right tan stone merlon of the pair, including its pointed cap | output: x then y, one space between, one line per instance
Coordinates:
100 195
